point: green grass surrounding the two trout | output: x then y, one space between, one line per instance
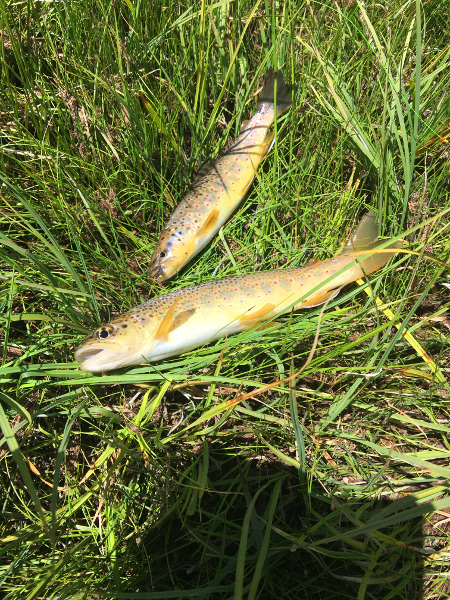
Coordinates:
217 474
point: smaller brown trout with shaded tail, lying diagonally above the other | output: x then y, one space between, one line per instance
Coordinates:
217 193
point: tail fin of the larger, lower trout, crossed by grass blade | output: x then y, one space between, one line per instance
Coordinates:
365 237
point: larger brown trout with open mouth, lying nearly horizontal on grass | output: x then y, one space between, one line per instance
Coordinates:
191 317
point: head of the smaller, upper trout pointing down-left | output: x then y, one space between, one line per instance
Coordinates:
175 248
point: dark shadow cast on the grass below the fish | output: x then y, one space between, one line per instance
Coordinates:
257 532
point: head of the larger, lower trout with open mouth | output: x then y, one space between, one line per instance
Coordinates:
123 342
